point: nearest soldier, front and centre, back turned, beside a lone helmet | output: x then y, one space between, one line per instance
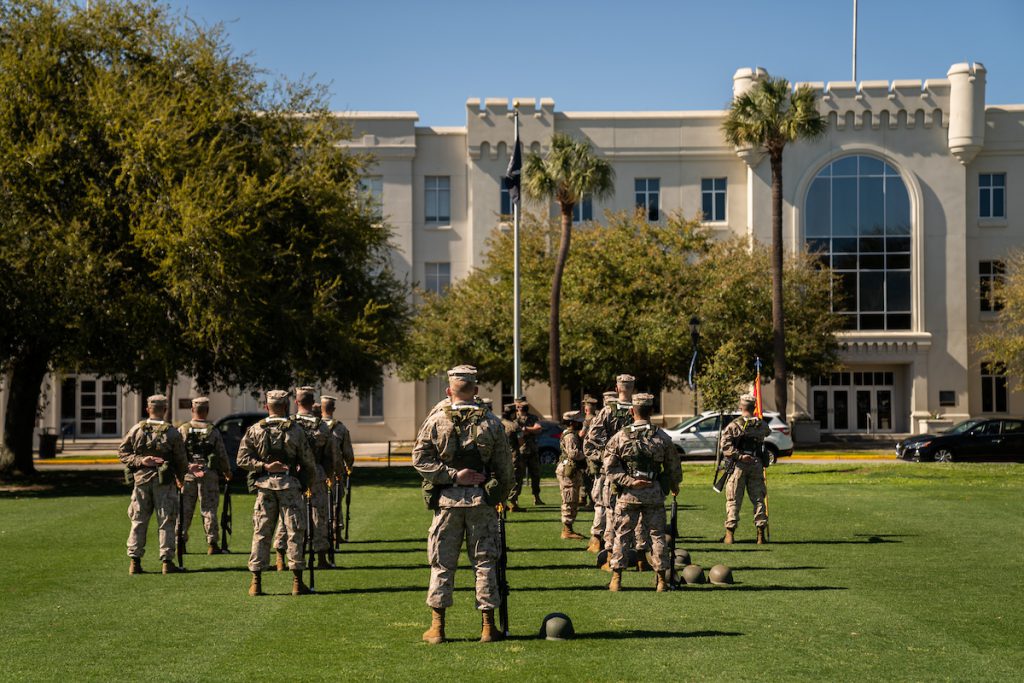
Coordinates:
463 456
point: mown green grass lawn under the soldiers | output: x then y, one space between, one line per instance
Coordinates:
888 572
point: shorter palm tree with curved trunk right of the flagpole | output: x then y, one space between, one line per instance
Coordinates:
569 173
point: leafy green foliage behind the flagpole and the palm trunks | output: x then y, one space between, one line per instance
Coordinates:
630 290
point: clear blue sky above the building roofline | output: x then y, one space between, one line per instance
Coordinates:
430 57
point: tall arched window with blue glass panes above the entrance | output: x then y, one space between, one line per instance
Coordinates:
859 221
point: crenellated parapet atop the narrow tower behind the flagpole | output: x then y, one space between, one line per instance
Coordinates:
491 126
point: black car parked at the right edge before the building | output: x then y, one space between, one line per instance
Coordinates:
995 440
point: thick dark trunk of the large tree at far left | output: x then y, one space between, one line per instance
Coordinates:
23 398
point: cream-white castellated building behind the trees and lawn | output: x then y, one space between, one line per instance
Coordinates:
911 194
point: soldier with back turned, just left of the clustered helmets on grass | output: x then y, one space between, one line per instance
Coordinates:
644 466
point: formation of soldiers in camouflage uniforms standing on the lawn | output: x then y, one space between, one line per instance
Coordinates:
474 465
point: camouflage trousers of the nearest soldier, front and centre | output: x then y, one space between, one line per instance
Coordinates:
479 527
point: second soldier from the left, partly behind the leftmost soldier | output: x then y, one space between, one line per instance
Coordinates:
206 449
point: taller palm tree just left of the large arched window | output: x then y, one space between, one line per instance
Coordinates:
767 117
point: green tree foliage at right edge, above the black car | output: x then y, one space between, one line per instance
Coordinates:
1003 344
